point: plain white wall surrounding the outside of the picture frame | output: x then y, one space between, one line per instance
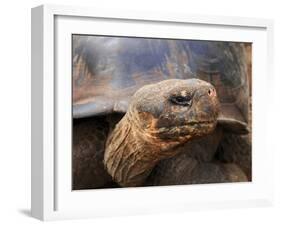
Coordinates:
15 111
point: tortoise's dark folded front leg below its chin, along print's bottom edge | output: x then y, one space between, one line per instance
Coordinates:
183 169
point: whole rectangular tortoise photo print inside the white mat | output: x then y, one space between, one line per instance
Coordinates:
159 112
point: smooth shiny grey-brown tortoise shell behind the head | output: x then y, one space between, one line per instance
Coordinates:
107 71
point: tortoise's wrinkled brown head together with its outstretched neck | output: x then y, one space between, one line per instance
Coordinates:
161 118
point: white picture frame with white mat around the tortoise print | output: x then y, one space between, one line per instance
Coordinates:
52 197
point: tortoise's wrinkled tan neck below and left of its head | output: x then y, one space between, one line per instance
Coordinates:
131 154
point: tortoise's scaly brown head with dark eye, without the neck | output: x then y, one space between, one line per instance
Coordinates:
175 109
